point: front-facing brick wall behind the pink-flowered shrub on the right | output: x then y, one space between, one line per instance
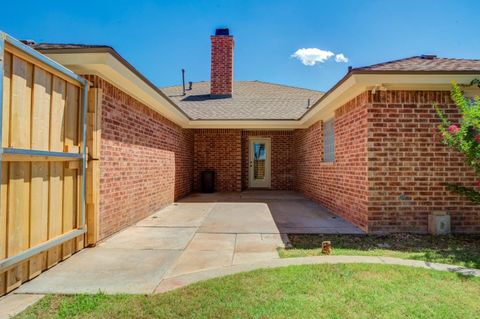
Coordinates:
408 165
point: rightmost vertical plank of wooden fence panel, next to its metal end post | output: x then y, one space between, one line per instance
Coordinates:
70 175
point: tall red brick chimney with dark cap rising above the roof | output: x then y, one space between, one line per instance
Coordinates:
221 78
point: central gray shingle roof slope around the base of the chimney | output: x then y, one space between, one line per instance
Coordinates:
251 100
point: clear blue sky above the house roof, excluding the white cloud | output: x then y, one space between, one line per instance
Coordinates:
161 37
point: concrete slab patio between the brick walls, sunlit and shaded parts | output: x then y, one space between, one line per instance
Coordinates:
201 232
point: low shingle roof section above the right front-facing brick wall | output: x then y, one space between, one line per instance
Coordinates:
426 63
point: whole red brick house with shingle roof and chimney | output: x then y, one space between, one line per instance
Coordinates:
367 149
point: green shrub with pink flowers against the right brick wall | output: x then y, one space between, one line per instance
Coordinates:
464 137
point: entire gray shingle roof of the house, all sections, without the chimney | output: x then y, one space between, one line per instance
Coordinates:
253 100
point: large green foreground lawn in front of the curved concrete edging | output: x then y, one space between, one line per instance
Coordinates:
309 291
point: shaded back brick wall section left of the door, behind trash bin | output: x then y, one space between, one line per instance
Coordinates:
219 150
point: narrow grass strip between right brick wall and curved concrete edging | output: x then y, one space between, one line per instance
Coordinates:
462 250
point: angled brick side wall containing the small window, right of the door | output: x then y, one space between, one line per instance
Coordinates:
341 186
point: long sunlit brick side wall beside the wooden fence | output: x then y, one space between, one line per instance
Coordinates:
146 161
